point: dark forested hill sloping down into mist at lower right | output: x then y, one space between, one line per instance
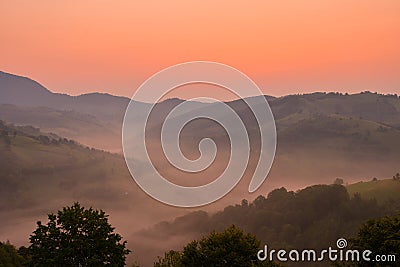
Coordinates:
314 217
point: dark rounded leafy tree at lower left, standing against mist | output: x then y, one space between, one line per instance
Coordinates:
77 237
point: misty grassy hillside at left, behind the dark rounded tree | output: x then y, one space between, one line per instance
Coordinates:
42 172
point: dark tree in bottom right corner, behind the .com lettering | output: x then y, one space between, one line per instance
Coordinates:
381 236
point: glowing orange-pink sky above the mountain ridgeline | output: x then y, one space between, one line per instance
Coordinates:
286 46
